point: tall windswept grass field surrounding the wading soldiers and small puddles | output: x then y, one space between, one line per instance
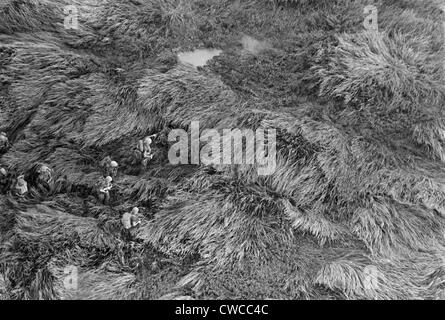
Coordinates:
360 179
